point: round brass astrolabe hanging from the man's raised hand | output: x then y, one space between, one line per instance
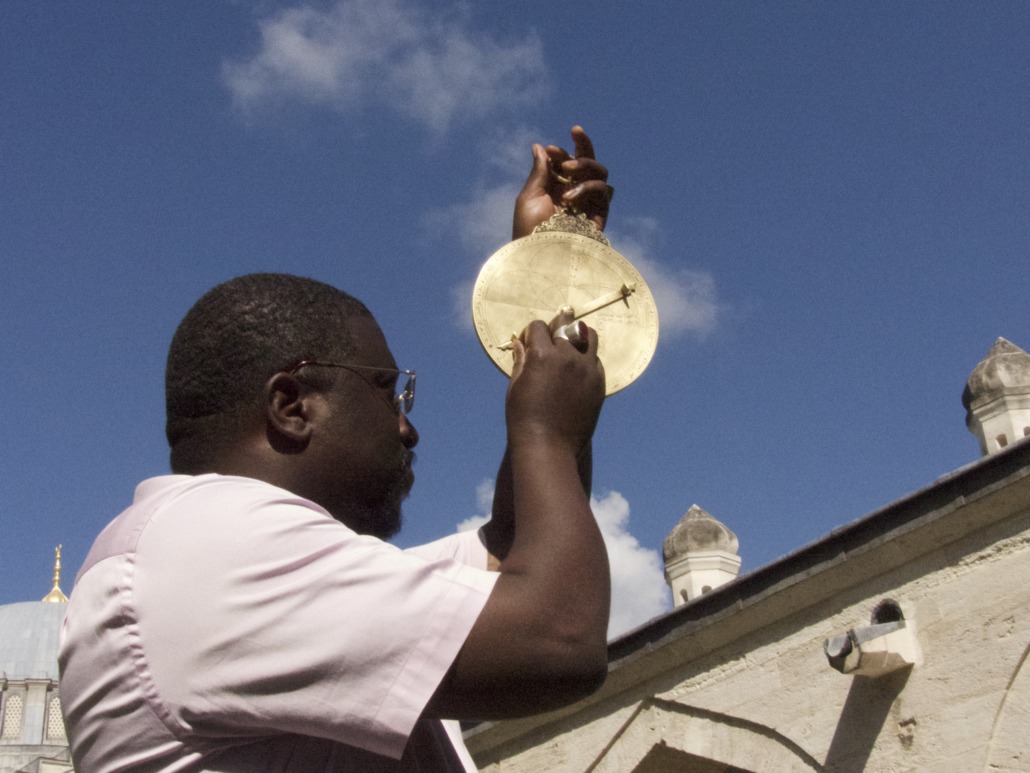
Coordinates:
568 265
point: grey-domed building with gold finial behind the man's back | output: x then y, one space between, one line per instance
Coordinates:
32 734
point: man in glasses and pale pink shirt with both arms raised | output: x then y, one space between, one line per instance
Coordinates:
245 614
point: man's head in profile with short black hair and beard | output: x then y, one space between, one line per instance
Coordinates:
234 407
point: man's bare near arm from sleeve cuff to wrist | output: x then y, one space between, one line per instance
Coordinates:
551 604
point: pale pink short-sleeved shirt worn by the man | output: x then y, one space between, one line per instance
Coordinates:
222 624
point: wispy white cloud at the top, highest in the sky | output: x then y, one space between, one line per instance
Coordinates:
427 66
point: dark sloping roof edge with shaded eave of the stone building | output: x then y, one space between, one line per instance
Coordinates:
761 598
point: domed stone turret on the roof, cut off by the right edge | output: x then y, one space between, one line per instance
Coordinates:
998 397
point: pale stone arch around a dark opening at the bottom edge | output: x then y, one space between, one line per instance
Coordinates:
666 736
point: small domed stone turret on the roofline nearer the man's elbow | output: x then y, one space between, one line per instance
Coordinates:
701 555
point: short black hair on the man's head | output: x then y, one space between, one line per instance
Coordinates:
238 335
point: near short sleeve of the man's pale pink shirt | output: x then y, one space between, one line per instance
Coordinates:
284 621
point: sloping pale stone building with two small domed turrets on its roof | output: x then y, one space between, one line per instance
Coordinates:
897 643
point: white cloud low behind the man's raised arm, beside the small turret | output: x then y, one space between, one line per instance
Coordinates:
639 590
